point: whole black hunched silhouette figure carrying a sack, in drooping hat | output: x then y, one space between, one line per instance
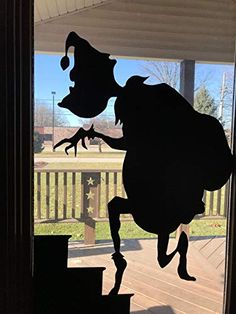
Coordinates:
173 153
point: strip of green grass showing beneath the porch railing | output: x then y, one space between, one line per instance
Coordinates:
129 230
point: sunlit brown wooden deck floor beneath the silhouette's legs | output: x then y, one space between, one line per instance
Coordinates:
156 290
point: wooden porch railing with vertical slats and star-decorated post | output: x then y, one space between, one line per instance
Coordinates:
82 195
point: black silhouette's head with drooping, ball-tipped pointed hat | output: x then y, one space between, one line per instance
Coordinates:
93 77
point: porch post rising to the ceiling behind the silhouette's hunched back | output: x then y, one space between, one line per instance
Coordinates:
187 71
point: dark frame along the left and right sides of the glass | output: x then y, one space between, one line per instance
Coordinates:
16 123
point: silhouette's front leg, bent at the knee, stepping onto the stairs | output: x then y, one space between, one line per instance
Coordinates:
116 207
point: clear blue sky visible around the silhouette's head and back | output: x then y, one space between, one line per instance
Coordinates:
50 77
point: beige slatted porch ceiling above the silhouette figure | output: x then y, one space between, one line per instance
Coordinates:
203 30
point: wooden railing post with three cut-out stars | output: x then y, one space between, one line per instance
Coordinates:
91 203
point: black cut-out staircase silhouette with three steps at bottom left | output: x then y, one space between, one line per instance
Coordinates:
74 290
